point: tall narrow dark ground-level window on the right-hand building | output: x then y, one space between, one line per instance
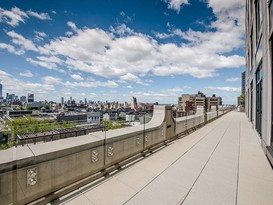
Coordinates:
259 97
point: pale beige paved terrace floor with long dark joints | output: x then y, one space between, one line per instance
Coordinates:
221 163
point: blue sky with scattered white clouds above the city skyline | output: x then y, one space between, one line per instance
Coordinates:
111 50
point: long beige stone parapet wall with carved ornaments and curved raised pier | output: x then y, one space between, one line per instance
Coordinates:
30 172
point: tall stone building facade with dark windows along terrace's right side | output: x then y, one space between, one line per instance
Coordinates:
259 45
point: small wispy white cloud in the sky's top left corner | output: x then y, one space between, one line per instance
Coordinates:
15 16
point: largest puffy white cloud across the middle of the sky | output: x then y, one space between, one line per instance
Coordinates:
104 54
